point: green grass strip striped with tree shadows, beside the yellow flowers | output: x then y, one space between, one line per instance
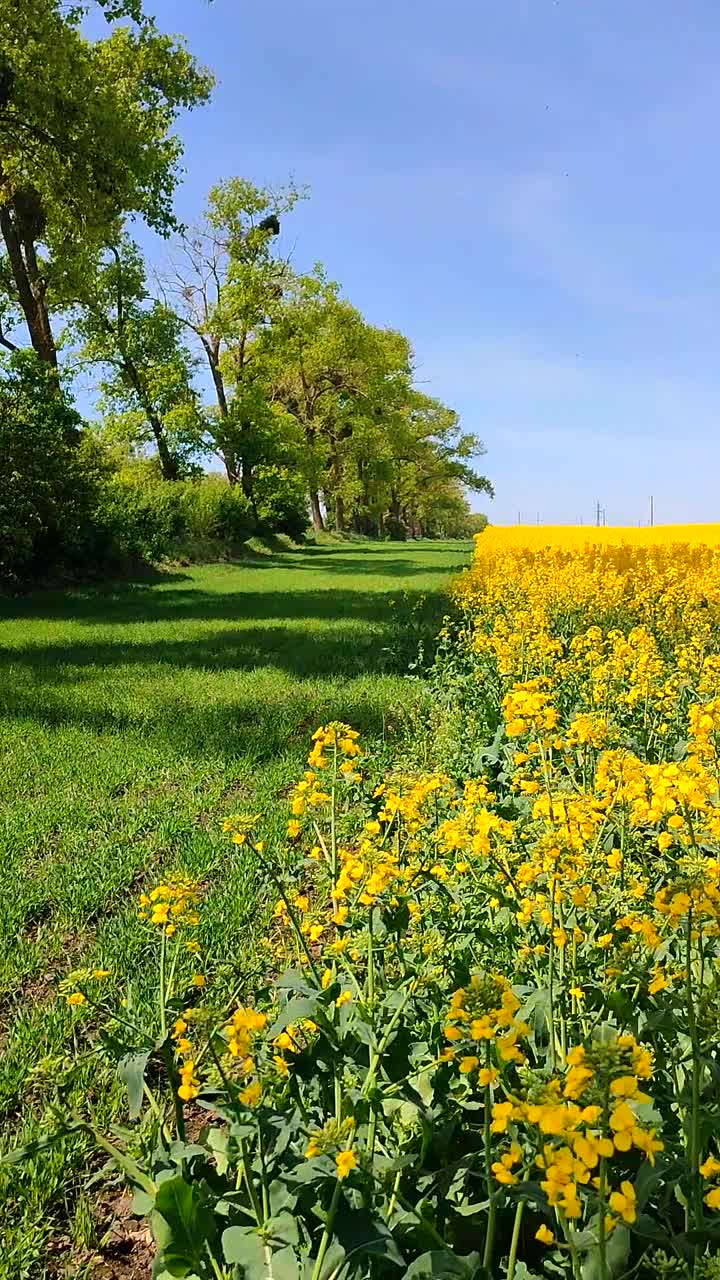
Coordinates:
134 720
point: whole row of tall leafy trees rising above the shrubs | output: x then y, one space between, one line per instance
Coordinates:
224 350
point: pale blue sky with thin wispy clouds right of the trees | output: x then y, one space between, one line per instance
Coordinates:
530 190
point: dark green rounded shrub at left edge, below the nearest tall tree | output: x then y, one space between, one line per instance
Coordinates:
49 474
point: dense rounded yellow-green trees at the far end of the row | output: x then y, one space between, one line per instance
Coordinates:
385 456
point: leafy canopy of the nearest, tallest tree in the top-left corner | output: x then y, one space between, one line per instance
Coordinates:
85 140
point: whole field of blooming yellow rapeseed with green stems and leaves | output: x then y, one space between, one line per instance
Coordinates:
487 1041
